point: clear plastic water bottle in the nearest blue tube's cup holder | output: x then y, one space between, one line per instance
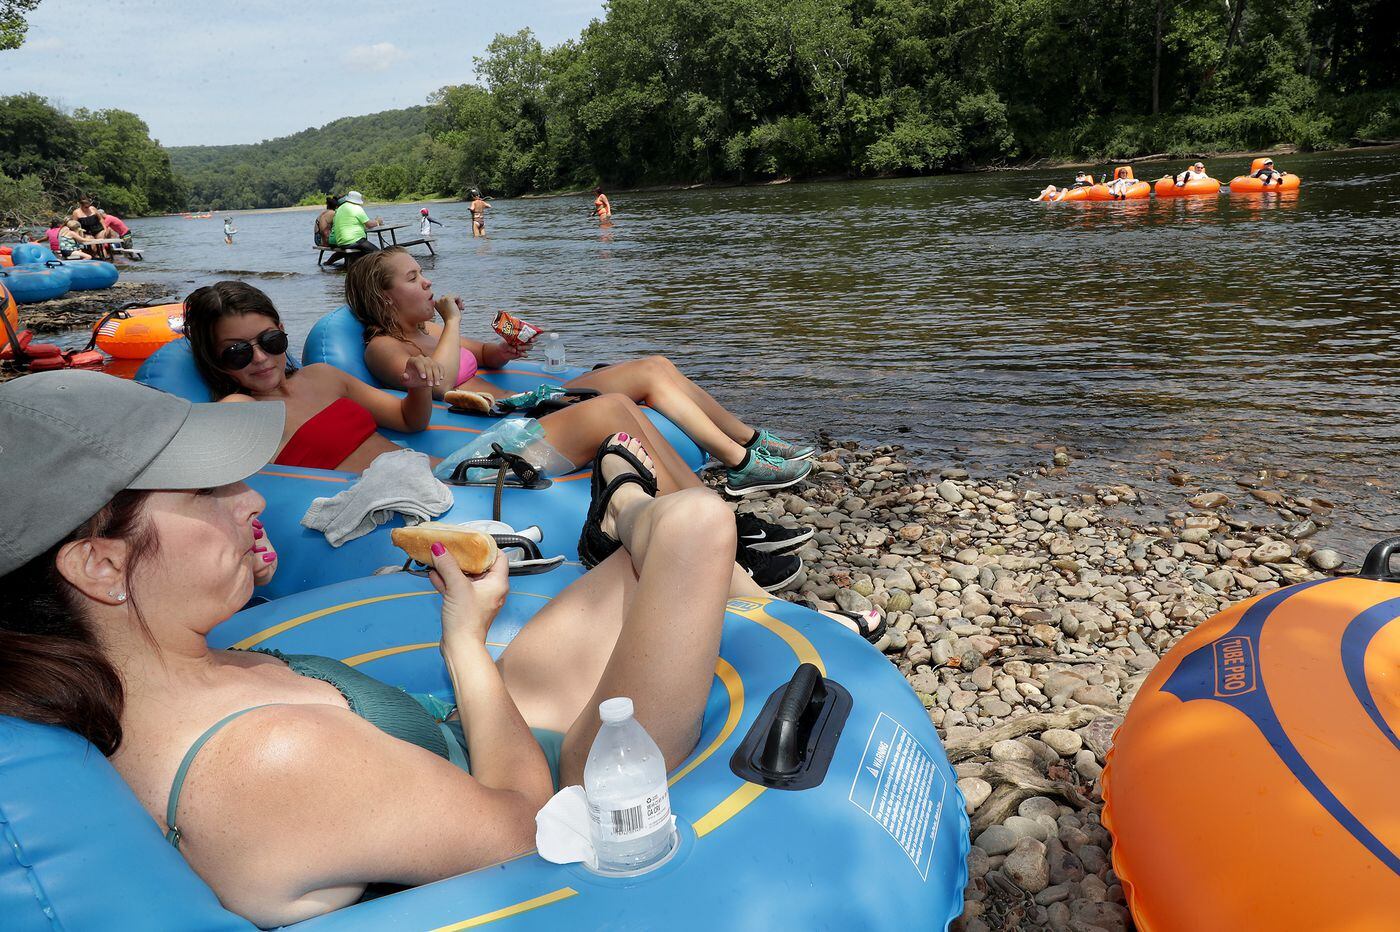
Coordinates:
629 804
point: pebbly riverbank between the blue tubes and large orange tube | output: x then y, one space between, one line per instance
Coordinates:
1027 621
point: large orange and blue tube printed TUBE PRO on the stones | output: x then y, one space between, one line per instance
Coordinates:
1254 783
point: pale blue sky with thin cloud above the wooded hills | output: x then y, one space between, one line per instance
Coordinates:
208 73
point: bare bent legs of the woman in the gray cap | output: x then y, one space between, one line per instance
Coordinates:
646 625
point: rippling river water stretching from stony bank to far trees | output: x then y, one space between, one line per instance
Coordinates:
1202 338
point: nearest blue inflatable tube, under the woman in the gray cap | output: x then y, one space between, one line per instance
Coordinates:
880 843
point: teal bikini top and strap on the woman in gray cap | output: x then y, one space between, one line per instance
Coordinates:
387 707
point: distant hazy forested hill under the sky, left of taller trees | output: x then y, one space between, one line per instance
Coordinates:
384 155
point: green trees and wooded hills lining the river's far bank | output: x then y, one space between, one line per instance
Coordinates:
680 93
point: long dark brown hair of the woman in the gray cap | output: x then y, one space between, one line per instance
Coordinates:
52 668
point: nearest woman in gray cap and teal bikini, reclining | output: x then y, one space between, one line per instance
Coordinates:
292 784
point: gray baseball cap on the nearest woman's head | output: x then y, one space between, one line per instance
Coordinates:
71 442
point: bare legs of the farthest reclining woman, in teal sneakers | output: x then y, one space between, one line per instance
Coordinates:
656 381
